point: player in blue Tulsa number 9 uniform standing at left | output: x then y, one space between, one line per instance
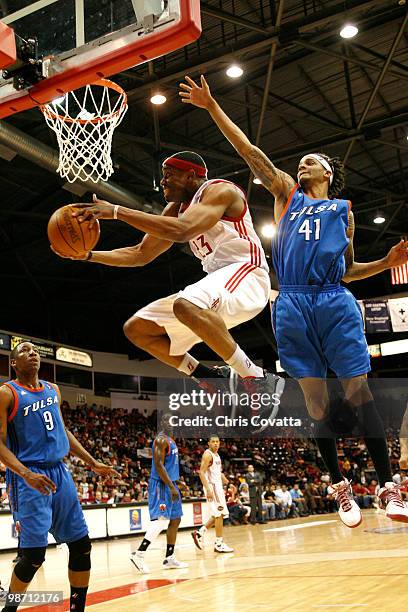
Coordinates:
43 498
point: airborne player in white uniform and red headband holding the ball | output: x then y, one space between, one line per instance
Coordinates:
213 216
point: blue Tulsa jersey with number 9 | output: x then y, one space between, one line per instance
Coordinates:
35 430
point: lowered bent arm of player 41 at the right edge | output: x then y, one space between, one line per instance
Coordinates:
397 256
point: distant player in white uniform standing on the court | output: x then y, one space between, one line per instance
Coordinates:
213 481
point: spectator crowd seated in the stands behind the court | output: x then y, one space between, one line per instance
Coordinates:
269 479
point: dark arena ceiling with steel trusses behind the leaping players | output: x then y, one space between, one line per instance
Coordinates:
303 89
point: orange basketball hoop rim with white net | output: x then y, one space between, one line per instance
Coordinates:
84 123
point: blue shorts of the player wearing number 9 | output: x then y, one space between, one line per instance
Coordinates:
59 513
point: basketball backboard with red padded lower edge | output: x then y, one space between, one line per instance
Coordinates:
81 41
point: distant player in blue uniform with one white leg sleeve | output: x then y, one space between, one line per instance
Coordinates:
164 500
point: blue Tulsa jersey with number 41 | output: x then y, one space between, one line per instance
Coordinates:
311 241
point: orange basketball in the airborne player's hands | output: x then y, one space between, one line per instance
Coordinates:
68 236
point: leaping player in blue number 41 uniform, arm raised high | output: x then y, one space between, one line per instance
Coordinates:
317 322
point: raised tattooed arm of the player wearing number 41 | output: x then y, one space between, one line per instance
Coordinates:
277 182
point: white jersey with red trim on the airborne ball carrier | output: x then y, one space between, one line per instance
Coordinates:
231 240
